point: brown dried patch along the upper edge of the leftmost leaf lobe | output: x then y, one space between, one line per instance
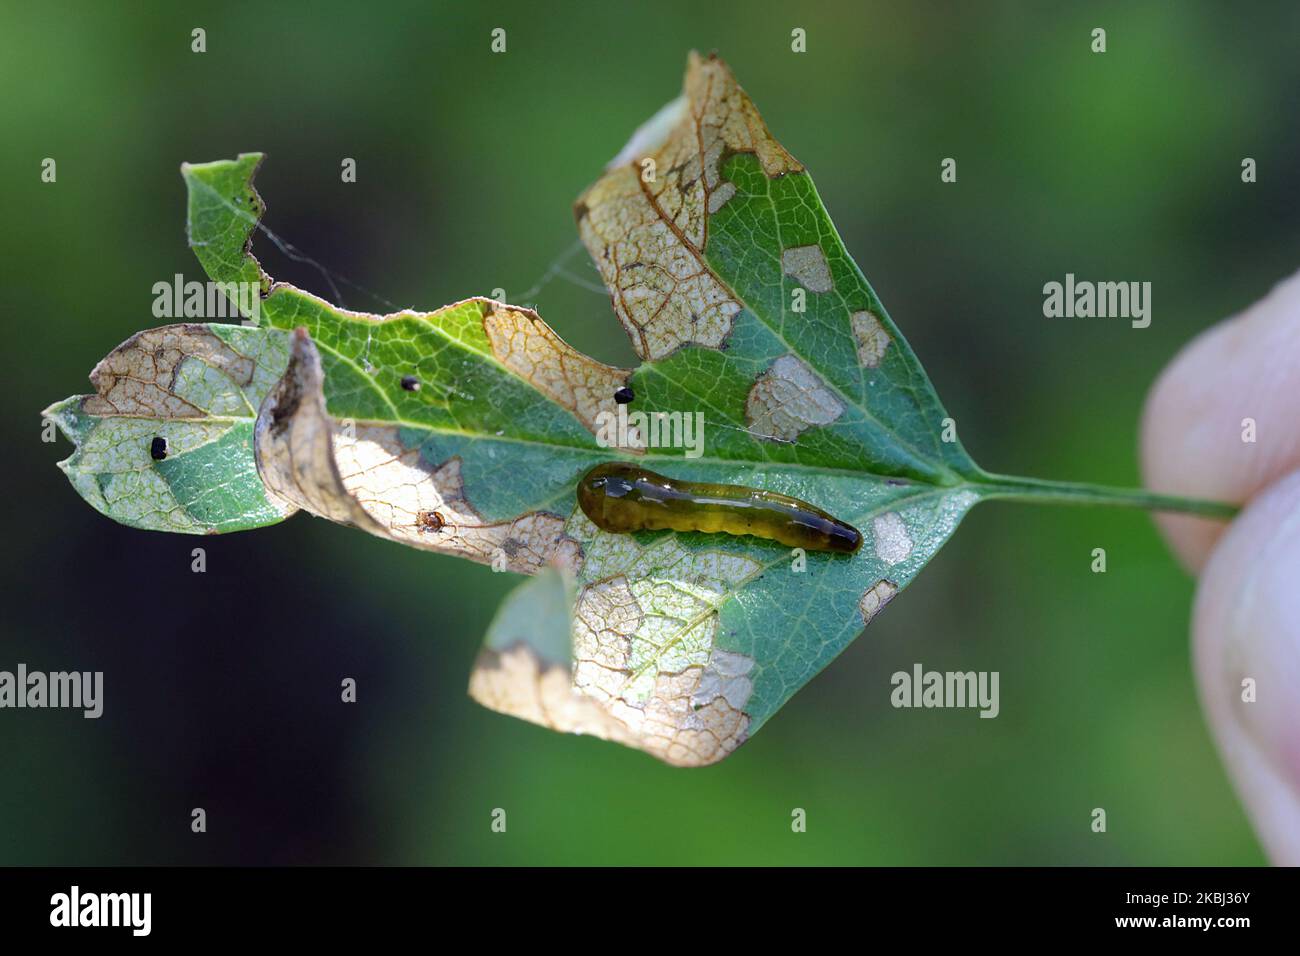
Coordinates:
161 374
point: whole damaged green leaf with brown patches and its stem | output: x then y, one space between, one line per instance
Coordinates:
466 430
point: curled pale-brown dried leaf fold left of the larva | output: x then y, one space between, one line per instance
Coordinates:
363 475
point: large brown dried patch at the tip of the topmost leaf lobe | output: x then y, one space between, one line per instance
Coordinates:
647 226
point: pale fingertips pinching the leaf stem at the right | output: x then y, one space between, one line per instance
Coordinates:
1246 620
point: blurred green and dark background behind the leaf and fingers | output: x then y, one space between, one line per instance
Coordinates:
222 690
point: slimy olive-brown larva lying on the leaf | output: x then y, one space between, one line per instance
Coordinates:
622 498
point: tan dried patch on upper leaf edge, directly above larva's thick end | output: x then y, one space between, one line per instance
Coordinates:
532 351
